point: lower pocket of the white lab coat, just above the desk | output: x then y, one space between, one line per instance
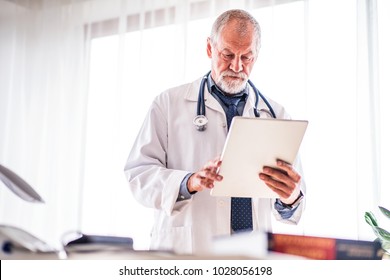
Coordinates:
178 239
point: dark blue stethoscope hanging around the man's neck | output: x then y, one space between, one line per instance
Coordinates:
200 121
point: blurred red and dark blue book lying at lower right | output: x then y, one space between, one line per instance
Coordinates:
324 248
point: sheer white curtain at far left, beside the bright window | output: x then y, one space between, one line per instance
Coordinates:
43 110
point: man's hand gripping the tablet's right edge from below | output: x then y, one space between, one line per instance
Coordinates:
283 180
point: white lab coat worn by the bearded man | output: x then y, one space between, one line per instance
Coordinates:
167 148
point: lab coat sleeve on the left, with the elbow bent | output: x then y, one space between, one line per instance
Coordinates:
150 181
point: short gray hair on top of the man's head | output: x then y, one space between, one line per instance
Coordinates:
243 17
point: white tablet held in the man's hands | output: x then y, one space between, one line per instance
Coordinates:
251 144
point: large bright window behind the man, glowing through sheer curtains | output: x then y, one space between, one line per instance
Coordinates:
314 60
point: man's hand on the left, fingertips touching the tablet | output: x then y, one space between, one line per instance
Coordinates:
204 178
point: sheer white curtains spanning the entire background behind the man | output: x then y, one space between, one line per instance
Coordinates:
76 79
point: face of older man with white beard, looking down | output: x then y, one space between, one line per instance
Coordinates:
232 58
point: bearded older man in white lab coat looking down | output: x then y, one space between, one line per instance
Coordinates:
172 165
